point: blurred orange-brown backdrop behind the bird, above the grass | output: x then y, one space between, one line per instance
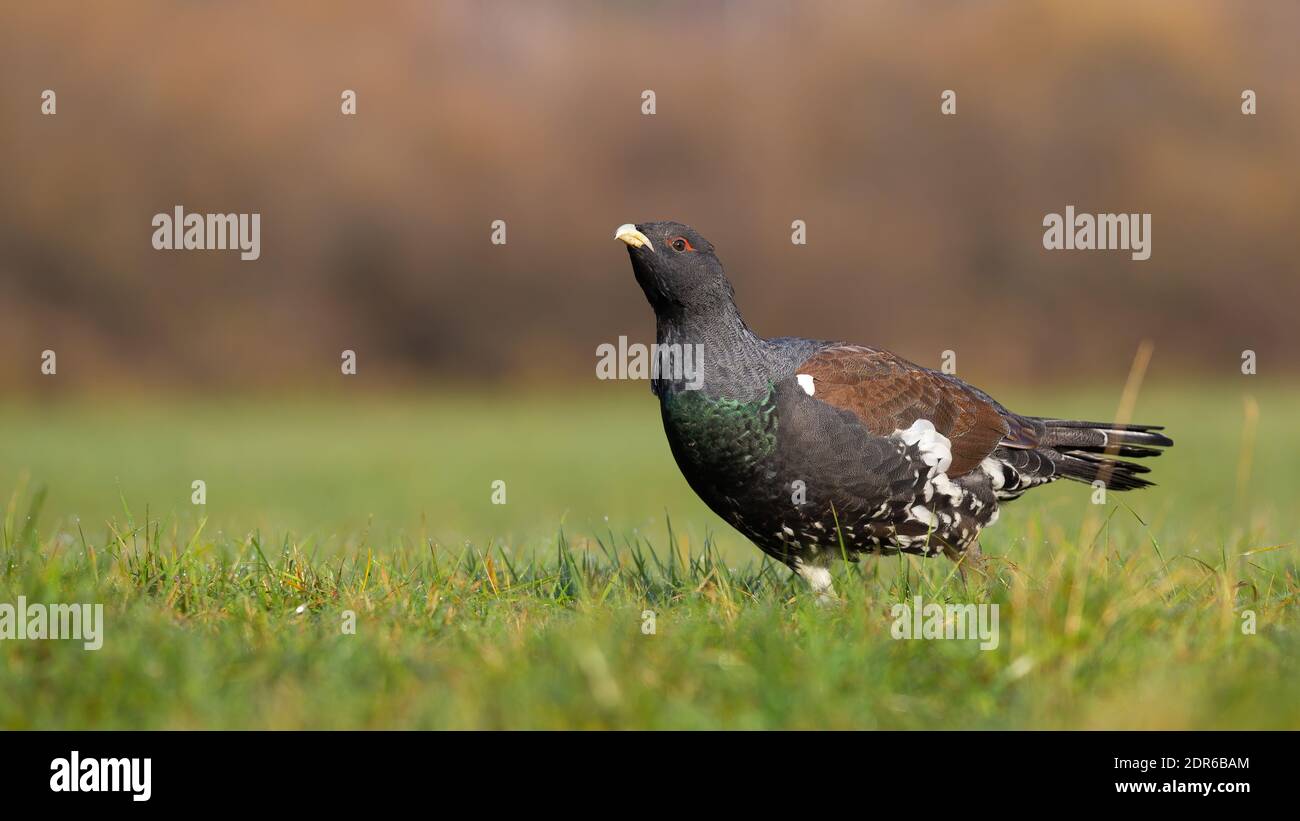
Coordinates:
925 232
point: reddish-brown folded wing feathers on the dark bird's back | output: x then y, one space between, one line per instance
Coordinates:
889 394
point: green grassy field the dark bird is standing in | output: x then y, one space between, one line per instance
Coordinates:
530 615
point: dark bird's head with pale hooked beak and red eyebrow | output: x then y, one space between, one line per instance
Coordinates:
677 268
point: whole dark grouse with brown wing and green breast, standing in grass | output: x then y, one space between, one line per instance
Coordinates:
821 450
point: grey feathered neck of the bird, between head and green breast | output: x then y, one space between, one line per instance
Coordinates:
723 357
